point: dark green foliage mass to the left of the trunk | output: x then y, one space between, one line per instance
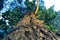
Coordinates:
13 17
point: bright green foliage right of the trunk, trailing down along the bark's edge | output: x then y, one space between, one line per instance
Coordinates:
48 15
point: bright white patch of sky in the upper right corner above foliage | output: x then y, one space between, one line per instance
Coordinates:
49 3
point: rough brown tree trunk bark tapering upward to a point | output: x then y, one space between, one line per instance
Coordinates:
30 28
